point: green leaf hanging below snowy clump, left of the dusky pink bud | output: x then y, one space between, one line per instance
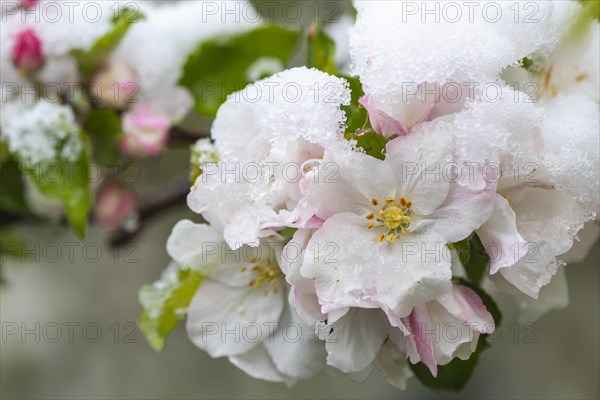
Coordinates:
67 182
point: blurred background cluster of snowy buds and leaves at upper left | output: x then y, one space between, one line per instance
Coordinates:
62 62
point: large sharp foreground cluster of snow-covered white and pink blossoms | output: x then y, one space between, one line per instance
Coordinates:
359 249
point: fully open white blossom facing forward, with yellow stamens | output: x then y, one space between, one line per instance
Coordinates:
376 213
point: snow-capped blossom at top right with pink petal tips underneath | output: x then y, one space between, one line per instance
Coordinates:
405 85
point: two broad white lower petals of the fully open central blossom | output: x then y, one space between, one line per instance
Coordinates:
351 268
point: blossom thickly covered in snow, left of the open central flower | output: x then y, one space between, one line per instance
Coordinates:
289 118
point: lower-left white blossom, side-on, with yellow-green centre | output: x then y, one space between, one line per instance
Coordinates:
244 291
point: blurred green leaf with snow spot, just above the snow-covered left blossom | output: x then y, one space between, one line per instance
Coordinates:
225 64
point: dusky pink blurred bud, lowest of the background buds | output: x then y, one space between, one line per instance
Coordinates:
114 203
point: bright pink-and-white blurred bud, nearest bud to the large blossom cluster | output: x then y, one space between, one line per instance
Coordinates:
146 131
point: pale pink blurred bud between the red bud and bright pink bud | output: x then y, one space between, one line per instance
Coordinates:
116 85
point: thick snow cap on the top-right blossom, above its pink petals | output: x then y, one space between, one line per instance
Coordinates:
388 54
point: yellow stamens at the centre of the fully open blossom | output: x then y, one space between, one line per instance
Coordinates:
393 217
